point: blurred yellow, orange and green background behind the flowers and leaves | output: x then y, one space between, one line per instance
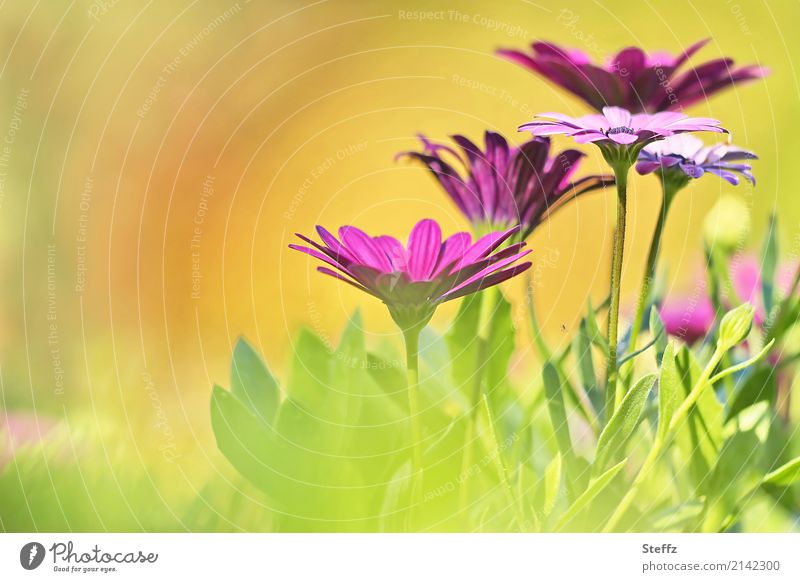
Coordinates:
157 158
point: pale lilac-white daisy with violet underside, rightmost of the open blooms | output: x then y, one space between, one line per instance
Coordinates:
686 155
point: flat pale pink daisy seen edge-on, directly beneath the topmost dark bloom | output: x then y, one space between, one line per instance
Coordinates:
618 126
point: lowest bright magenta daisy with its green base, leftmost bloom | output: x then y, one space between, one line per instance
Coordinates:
413 280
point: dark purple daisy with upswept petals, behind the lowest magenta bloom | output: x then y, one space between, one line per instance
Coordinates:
502 185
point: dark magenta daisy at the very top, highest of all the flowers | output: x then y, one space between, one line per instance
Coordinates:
632 78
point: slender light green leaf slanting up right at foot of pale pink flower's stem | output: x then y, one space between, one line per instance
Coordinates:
622 424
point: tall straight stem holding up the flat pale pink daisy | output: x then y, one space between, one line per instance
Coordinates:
621 175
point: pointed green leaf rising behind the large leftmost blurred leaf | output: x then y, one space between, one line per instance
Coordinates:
252 383
